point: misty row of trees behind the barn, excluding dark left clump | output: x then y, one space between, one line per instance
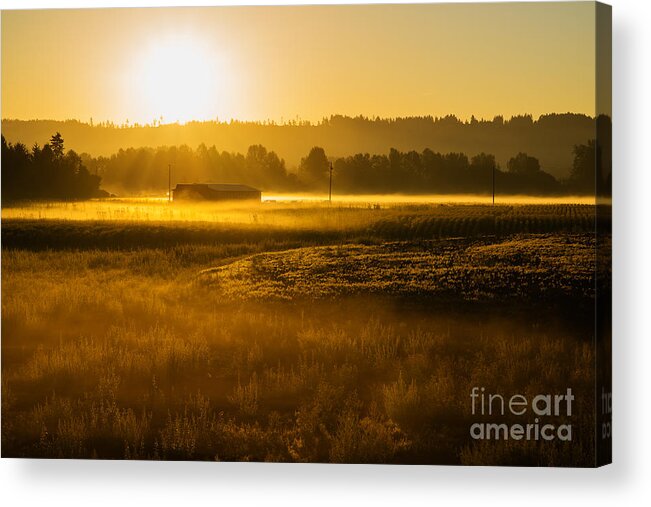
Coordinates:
145 170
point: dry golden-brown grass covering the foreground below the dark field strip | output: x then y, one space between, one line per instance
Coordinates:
121 354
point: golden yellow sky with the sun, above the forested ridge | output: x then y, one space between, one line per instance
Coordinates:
305 62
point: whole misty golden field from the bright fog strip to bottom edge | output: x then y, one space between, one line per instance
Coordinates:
291 331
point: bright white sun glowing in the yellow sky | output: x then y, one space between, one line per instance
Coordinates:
178 79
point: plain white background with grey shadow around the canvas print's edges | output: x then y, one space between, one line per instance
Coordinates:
627 482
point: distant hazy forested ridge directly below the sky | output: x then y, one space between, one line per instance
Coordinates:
550 138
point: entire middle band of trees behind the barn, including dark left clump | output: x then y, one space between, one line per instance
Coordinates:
49 172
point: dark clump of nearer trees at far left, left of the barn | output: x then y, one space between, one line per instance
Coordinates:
47 172
